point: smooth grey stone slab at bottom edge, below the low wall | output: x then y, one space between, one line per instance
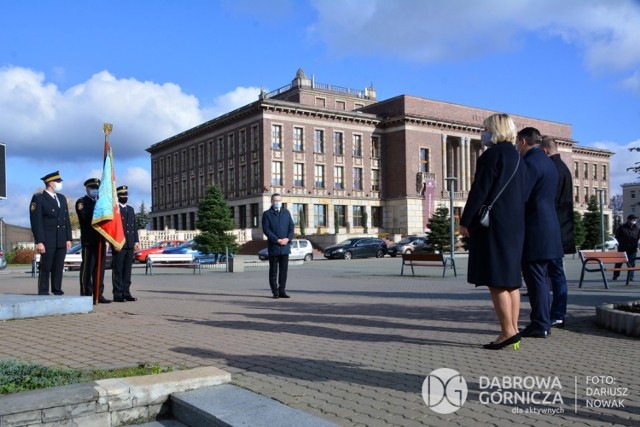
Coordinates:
228 405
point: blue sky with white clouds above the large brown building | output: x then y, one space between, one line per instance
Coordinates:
154 68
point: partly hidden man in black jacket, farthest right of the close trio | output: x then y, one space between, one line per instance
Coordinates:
564 209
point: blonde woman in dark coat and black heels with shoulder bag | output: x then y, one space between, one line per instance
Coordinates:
495 251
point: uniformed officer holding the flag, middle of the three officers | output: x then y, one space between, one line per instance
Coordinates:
90 240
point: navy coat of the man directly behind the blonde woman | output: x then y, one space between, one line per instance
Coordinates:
542 228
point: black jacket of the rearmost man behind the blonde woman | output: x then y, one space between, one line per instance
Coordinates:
564 204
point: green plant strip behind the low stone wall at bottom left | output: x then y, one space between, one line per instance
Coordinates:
16 376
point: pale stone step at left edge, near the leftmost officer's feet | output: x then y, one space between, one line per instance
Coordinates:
23 306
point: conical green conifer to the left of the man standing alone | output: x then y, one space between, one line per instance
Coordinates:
214 220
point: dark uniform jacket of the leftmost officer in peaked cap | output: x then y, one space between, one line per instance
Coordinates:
50 223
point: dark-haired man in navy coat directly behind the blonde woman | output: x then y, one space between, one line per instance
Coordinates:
542 241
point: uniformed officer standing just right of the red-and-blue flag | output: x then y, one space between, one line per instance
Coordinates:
123 259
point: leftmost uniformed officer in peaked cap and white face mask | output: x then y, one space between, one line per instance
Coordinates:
51 229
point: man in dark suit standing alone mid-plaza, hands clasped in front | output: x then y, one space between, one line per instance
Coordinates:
277 225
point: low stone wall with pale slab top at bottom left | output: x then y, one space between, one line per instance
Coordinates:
111 402
